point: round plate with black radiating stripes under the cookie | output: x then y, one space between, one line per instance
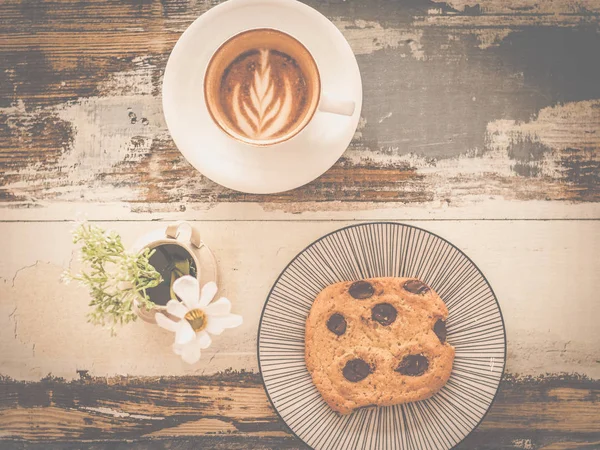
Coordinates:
475 328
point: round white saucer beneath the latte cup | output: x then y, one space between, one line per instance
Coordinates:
236 165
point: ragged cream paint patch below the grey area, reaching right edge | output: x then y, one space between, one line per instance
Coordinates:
541 144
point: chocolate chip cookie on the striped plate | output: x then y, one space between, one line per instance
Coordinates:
380 341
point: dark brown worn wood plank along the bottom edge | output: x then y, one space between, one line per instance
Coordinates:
528 413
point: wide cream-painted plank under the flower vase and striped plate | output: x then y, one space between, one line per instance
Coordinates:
543 272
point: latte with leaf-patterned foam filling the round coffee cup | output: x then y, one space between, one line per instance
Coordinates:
262 88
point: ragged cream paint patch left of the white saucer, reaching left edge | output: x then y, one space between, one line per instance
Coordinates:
101 136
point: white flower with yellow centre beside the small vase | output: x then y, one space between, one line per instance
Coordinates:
197 317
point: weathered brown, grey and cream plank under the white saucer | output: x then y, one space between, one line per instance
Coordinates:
463 103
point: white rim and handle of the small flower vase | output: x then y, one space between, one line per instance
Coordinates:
204 259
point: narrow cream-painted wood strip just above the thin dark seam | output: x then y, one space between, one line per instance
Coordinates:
336 211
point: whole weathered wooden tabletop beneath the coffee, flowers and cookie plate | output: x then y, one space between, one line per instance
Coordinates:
481 123
